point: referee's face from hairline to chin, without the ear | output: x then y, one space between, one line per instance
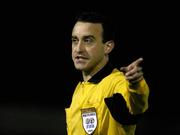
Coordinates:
88 50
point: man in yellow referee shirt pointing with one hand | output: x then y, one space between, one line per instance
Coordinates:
104 101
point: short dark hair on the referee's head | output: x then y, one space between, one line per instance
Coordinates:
96 17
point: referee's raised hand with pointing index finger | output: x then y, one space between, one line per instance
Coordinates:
133 72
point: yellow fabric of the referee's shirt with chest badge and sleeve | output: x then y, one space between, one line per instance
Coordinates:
89 114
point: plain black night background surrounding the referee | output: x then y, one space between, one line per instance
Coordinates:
37 74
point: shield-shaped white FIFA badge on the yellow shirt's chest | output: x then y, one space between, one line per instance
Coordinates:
89 119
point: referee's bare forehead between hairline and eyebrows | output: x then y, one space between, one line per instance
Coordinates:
86 28
